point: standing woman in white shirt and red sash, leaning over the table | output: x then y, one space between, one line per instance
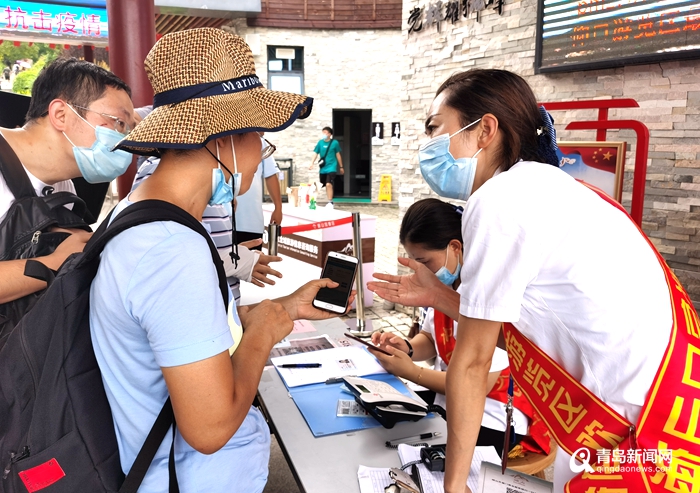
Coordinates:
564 265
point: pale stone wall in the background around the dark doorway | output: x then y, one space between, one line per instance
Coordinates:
343 69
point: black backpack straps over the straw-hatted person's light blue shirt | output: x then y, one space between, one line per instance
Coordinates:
143 212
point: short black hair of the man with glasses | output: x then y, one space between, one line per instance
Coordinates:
75 81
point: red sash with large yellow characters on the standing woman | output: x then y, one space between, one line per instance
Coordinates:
664 456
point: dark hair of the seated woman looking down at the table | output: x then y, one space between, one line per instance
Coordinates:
432 224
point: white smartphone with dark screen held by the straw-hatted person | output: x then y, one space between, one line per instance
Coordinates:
341 269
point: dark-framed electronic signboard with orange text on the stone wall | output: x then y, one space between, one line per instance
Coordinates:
588 34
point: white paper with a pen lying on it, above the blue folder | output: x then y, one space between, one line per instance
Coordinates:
336 362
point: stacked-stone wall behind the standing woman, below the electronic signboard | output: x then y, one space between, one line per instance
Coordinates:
668 94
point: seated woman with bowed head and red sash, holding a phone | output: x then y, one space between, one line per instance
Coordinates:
431 235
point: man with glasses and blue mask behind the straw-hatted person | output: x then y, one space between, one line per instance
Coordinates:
78 112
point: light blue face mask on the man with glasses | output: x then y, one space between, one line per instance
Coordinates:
99 164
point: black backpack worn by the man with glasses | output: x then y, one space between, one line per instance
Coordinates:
24 232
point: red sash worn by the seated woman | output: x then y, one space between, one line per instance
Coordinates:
538 440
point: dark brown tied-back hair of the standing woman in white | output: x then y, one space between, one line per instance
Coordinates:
506 96
